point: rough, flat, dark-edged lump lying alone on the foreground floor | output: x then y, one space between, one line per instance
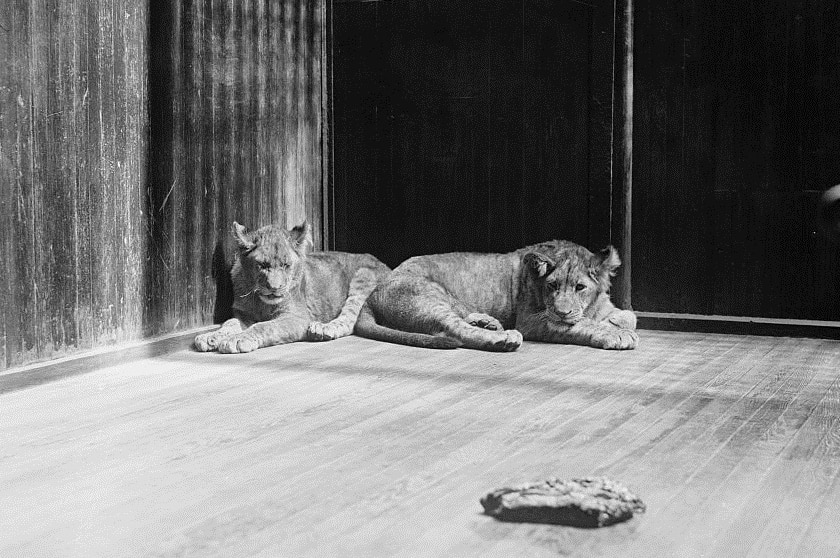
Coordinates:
586 502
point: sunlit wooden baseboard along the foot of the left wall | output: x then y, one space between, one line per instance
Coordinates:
44 372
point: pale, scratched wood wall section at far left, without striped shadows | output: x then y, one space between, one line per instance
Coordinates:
73 135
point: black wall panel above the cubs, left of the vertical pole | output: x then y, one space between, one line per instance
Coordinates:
472 125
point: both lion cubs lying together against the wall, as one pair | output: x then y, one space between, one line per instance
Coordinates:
555 291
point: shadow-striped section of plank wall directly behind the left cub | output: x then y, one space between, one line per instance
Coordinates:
236 125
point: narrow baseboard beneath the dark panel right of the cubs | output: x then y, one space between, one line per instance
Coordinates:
739 325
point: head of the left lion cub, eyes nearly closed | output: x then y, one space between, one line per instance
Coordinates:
270 261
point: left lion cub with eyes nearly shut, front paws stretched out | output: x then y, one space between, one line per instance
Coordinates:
283 293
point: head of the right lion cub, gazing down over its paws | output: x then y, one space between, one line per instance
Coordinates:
566 280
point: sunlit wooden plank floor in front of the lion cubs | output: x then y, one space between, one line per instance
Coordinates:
359 448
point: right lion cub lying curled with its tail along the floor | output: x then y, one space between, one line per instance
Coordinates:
554 292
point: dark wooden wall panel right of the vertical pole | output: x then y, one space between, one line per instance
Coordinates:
736 134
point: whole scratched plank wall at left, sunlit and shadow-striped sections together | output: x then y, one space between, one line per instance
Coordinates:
131 134
